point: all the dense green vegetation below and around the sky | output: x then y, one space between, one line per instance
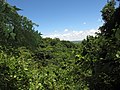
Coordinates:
30 62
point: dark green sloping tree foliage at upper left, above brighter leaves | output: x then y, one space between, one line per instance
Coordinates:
16 30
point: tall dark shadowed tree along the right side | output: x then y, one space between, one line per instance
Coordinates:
100 54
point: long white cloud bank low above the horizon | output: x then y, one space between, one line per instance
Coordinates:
73 35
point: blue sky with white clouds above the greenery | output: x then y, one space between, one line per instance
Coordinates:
65 19
